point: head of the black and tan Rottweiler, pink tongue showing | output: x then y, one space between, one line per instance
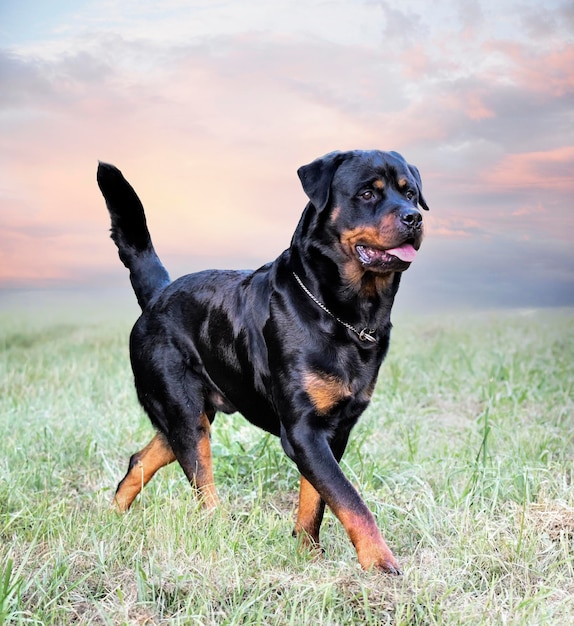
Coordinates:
364 210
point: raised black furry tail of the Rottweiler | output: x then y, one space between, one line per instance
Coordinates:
130 234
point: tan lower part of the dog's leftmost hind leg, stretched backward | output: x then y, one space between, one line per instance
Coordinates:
143 465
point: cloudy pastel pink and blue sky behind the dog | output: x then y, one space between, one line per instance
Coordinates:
209 108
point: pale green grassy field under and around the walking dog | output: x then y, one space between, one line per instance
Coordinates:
465 456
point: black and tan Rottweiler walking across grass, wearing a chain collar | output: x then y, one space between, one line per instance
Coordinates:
294 346
